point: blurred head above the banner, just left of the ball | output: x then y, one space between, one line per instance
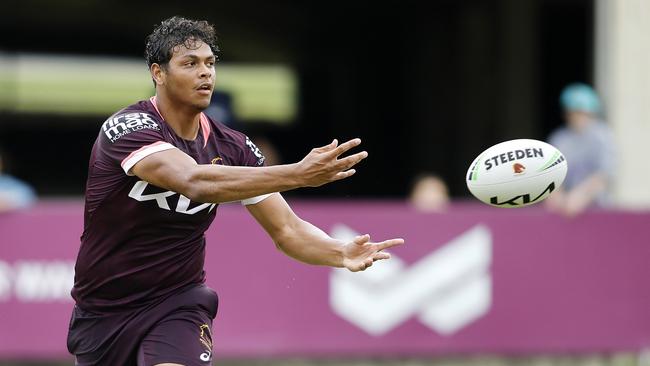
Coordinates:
429 193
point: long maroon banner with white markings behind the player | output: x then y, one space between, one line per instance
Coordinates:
475 279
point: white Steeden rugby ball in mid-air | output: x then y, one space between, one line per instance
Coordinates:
516 173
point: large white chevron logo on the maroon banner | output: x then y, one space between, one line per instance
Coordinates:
445 290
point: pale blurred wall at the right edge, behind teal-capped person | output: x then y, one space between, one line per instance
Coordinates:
623 78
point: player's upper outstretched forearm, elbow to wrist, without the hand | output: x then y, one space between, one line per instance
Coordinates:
218 183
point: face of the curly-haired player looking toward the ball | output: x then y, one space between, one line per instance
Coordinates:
188 78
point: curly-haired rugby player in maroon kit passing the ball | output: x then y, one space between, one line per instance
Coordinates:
157 170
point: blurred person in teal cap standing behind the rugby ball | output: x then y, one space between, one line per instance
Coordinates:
588 145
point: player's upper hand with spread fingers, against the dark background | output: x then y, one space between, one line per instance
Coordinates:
322 165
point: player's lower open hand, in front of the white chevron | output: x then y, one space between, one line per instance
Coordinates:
361 253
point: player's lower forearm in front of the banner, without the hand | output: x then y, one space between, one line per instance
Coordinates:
307 243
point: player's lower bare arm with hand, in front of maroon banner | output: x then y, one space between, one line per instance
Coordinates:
305 242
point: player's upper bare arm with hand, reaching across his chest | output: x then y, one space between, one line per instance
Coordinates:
176 171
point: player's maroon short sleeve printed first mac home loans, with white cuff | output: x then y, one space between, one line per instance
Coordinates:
127 138
